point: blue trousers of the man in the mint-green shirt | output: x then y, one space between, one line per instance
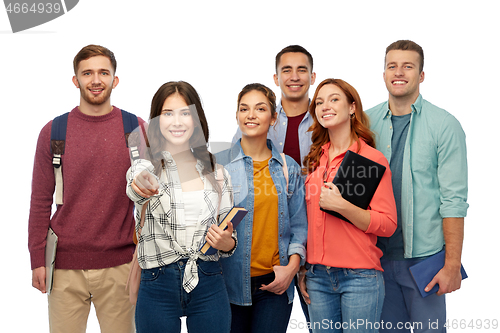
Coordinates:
404 307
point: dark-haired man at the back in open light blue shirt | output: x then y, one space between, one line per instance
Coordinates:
294 75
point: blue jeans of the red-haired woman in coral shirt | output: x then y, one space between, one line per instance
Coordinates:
344 300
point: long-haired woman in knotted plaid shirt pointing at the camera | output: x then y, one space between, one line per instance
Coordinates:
186 194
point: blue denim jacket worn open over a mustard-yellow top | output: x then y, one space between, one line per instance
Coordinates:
292 217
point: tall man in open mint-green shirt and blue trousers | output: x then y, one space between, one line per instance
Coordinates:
426 149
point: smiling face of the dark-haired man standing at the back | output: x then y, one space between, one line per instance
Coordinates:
294 76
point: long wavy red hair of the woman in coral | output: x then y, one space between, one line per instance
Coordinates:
360 127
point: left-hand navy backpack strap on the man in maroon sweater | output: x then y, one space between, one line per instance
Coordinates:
57 145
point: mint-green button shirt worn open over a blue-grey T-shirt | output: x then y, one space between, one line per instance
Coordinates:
434 182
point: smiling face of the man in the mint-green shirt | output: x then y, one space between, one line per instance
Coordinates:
402 74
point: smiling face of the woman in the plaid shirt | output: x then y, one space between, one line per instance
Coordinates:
176 123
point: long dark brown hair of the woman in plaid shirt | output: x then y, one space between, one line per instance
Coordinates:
199 138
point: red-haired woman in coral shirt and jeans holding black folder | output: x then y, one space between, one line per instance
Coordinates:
342 281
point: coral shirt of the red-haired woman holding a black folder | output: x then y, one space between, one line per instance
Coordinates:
337 243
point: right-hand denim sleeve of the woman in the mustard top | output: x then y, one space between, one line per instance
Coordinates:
296 211
